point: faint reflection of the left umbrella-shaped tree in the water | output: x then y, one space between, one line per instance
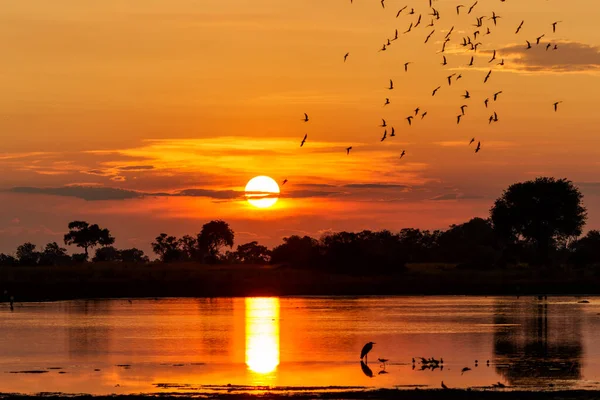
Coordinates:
88 332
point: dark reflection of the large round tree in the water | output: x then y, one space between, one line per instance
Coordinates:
544 345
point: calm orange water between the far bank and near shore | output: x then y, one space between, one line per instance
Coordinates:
118 346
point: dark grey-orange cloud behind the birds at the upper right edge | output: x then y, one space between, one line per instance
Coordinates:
569 57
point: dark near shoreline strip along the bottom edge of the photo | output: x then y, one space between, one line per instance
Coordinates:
383 394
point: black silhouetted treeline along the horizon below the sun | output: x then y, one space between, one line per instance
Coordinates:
535 223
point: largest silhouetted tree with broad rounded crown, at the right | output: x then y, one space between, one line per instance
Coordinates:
545 212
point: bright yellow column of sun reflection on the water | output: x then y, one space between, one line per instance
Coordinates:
262 334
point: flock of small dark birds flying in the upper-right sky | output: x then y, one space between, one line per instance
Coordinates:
482 26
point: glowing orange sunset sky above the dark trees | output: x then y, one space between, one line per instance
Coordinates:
168 97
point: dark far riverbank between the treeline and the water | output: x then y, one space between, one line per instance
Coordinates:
116 280
